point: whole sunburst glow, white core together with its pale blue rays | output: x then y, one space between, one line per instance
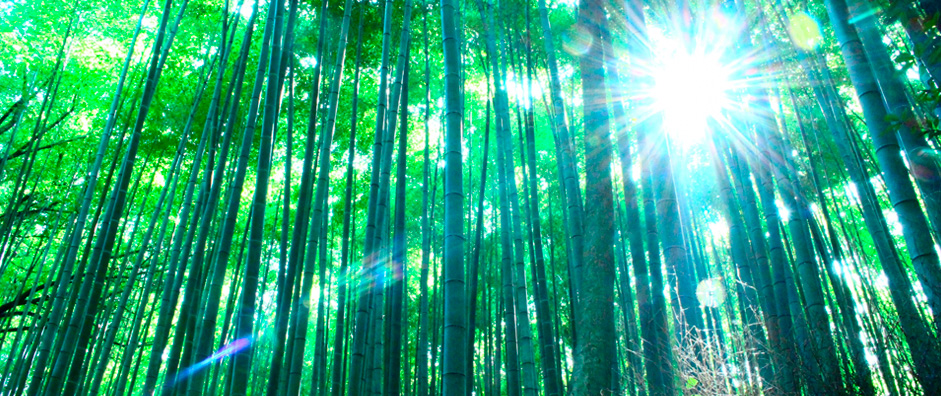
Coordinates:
701 78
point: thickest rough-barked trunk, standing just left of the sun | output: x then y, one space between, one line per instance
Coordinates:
596 341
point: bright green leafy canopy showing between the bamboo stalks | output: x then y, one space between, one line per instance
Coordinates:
32 34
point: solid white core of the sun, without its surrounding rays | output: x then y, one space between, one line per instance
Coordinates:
689 89
